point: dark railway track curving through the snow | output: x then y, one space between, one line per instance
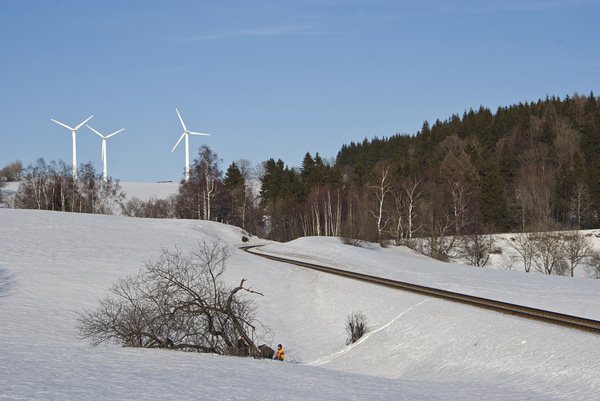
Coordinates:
559 319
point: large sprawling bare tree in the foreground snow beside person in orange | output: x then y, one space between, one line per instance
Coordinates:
179 301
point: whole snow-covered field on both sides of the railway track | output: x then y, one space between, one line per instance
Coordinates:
53 265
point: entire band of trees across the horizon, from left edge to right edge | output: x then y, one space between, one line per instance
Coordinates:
529 167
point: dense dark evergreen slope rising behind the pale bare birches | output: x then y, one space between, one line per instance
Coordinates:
526 165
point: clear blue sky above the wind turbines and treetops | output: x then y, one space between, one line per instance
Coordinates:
271 78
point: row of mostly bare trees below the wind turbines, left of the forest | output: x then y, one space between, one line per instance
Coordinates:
207 195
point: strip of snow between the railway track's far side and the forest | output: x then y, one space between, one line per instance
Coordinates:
402 264
